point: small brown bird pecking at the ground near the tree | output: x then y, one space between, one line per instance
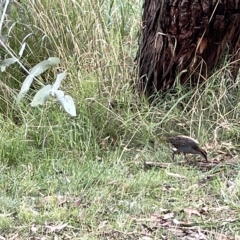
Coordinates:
184 144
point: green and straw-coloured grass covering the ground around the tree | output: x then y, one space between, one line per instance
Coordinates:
85 177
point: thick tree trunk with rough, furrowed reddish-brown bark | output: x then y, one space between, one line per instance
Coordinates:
183 38
